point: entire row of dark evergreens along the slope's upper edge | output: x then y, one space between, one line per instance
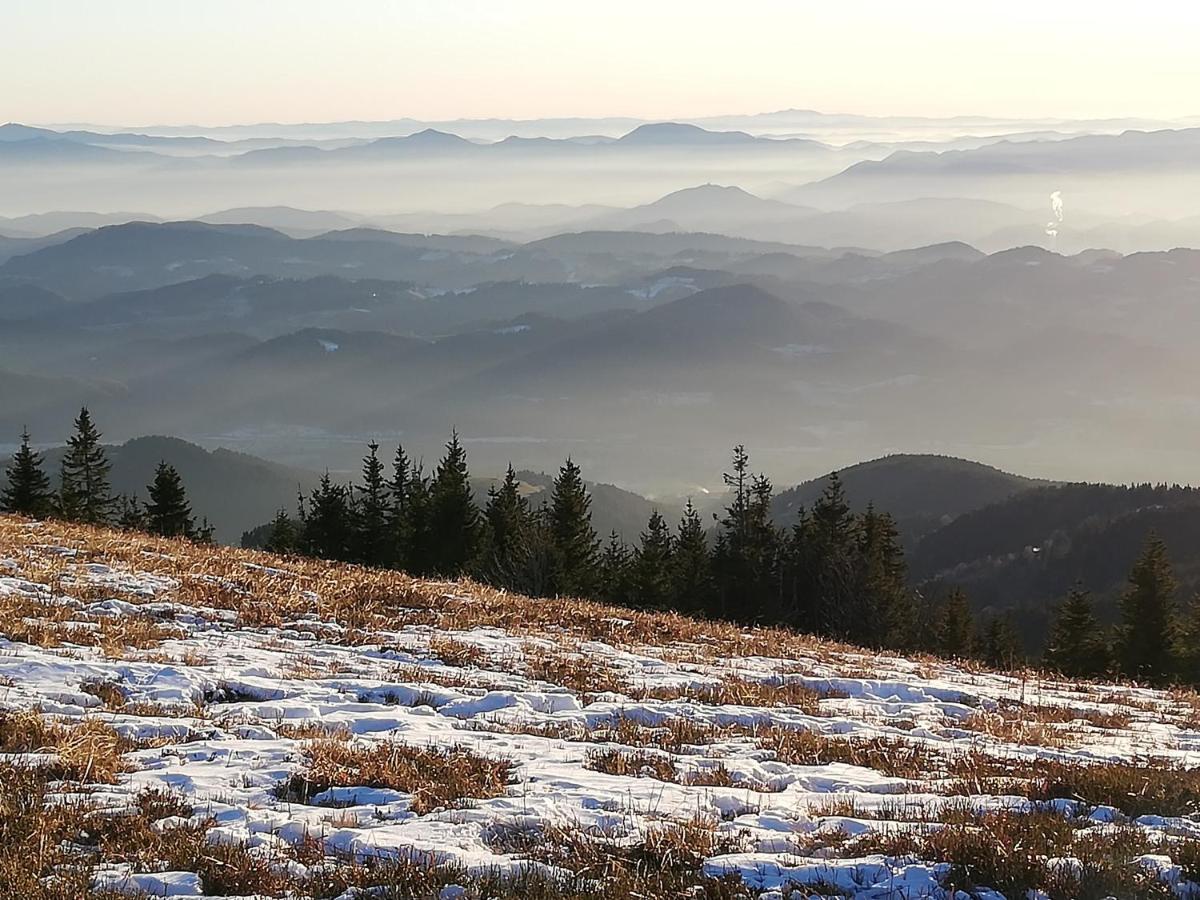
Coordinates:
833 573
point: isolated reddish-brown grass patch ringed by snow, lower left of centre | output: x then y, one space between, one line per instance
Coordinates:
436 778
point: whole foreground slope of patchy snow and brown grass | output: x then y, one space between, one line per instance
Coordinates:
183 721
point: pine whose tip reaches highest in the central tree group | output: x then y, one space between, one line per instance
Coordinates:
454 519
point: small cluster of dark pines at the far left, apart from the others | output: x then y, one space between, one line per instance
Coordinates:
85 494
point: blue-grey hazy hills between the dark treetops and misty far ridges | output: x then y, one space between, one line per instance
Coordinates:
604 340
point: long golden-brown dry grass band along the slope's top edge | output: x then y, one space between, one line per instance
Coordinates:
267 590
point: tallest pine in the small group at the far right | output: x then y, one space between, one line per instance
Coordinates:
1148 617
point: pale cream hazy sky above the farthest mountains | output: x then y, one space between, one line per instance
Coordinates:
221 62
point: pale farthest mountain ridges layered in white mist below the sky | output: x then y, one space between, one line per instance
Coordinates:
1120 175
